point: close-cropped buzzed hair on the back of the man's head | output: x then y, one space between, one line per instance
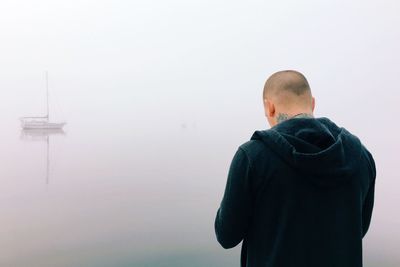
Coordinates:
288 87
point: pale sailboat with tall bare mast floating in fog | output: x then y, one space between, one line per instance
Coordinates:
41 122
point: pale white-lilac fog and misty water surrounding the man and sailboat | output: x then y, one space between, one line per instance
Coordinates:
157 96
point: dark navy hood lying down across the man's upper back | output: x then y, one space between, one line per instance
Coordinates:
316 147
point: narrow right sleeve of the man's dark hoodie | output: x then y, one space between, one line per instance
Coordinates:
369 198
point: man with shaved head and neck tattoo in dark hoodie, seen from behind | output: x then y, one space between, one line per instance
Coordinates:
300 193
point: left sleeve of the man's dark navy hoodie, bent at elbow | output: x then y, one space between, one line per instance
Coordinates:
234 213
